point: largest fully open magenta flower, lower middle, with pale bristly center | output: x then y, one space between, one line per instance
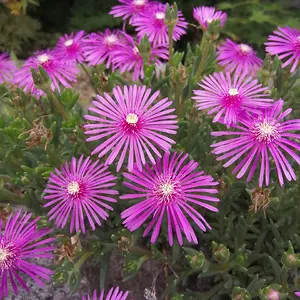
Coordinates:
171 188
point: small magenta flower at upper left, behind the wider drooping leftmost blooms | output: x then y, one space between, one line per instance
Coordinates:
70 47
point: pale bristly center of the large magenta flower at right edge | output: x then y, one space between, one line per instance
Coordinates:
266 130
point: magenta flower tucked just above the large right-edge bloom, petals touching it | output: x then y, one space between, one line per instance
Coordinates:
228 97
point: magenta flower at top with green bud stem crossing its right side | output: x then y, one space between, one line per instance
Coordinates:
152 24
